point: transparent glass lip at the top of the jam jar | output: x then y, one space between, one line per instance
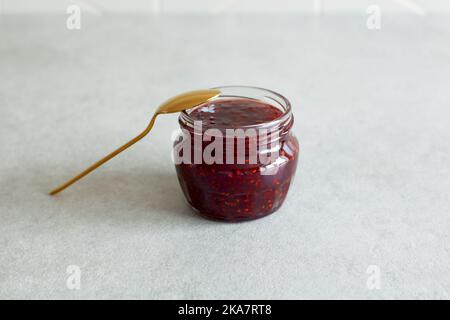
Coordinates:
284 103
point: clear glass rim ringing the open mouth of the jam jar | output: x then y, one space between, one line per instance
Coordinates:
253 93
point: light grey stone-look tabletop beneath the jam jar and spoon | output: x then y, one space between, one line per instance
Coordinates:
373 185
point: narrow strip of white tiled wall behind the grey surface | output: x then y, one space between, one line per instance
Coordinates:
317 7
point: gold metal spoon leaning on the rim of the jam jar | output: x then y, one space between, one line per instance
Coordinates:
178 103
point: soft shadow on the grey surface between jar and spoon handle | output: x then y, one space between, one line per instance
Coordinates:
135 195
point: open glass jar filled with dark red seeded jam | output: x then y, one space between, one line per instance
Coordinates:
236 156
